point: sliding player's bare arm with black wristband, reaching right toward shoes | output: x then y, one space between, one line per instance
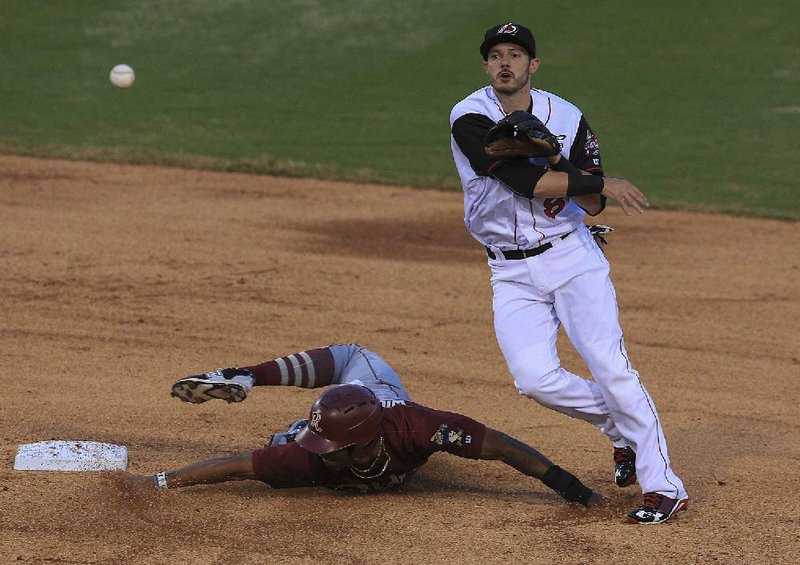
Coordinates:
525 459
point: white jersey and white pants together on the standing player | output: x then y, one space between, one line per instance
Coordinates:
566 284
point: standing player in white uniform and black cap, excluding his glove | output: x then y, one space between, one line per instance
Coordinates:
547 270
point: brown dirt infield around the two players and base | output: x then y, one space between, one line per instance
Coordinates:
116 280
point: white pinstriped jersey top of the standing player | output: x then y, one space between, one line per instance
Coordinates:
498 209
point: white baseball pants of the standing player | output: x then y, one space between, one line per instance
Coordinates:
570 285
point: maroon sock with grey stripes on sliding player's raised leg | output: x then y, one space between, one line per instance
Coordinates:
306 369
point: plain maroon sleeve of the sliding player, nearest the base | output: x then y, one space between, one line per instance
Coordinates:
288 465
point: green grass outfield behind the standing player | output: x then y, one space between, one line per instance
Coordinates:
698 104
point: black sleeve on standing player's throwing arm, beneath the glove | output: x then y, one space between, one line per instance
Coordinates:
519 175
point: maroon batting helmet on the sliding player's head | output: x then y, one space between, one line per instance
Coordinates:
343 415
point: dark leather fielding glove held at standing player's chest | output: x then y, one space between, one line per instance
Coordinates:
520 135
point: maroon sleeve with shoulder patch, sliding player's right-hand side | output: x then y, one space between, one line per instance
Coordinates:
435 430
